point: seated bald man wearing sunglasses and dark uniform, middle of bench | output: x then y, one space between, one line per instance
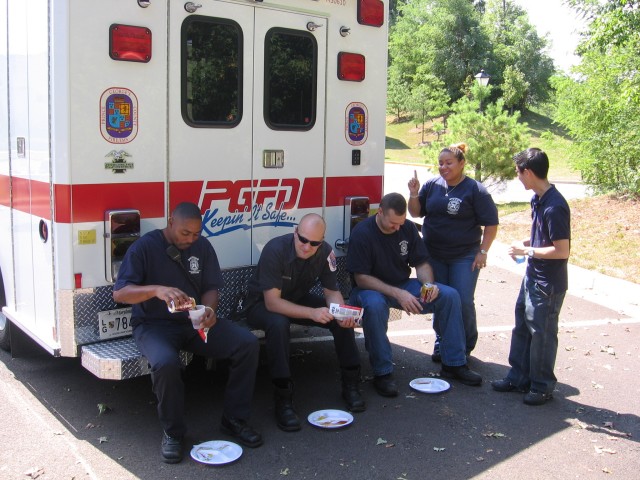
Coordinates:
289 266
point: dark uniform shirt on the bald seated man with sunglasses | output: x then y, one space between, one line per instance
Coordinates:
279 267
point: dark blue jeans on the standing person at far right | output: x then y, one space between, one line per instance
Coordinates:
534 340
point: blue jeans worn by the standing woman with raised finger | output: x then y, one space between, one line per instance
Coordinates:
457 274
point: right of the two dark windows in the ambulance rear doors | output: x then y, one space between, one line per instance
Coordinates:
290 79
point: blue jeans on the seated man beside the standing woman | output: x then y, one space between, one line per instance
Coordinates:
447 323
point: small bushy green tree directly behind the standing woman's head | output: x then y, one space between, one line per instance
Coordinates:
493 137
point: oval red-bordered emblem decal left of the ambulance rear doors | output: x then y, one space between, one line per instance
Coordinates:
118 115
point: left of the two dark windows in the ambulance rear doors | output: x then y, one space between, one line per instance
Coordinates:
211 72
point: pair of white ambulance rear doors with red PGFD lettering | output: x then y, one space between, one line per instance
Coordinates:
246 131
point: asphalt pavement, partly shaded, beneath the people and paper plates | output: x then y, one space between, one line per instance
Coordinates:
52 427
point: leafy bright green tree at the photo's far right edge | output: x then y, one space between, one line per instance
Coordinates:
600 107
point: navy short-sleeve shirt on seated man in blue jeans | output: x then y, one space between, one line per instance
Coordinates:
388 257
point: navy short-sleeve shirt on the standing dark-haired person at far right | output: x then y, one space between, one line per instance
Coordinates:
551 221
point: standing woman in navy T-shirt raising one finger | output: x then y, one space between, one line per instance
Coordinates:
460 224
